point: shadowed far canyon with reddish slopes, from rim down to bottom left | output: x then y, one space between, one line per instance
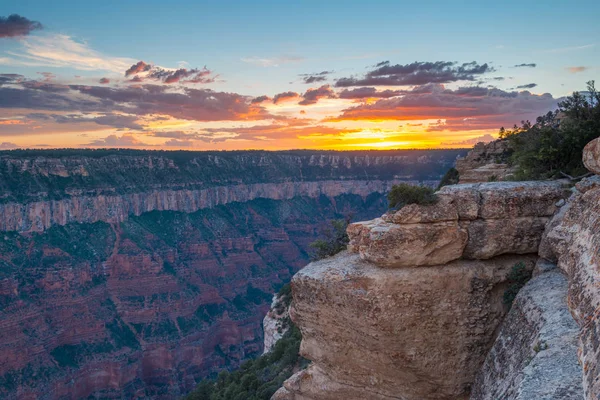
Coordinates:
136 274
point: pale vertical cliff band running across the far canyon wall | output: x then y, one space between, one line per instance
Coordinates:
41 215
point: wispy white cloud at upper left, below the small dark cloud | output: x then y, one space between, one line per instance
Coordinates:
62 51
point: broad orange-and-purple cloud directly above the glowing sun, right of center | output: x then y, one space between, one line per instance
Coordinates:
466 108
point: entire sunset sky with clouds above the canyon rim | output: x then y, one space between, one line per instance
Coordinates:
229 75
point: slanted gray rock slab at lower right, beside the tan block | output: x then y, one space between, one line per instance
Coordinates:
535 353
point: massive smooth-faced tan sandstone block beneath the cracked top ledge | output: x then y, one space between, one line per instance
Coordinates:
408 333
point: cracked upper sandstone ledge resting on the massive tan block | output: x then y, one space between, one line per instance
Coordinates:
472 221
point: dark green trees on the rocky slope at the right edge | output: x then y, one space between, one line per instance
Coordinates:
552 147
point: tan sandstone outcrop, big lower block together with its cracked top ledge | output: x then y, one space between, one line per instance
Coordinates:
375 326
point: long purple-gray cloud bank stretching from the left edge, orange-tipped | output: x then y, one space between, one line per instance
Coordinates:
184 102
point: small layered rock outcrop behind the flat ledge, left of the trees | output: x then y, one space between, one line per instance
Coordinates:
485 162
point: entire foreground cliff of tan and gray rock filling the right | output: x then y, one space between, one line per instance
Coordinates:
490 293
